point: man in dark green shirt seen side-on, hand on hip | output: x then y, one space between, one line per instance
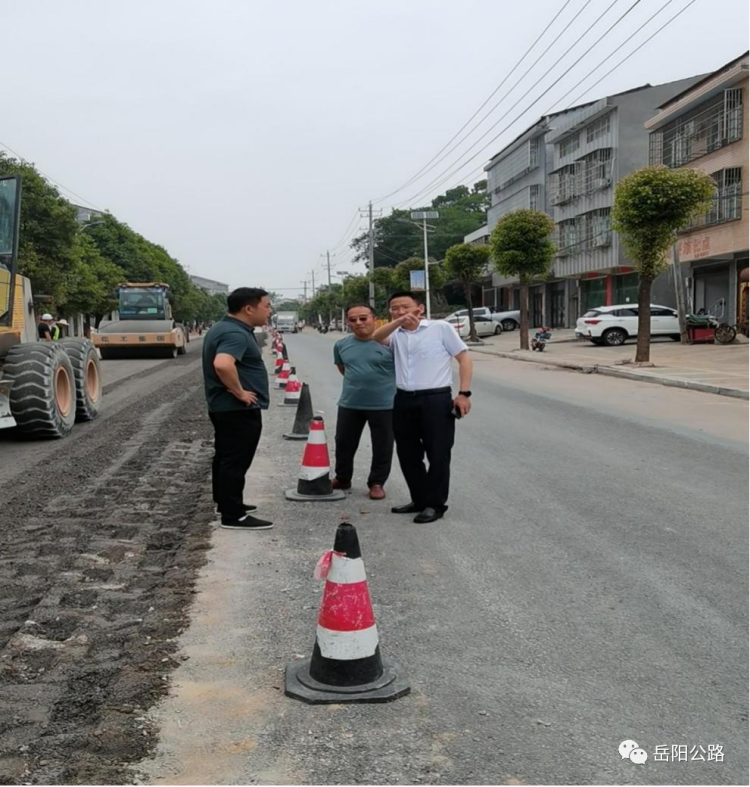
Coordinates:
236 383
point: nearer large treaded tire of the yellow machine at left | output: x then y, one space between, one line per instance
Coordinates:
43 394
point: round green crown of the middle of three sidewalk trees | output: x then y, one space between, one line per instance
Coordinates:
521 245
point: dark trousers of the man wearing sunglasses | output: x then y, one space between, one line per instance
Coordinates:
349 426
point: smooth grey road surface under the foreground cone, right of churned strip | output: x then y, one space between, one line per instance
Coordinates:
587 586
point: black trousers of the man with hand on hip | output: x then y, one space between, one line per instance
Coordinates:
237 434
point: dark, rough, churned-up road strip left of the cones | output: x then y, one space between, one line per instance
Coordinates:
102 534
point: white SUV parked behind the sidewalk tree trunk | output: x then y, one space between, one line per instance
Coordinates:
614 325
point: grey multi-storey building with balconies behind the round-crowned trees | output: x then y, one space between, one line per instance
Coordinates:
567 164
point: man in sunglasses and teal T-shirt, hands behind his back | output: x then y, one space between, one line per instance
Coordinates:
366 398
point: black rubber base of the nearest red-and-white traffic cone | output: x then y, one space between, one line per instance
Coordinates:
301 686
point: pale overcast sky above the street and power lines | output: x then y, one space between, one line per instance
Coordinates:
243 136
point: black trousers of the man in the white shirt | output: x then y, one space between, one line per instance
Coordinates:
424 425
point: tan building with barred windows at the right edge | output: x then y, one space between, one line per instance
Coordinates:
706 127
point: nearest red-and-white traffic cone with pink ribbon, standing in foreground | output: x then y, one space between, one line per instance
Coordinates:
346 665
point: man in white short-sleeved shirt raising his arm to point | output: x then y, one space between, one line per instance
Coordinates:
425 411
